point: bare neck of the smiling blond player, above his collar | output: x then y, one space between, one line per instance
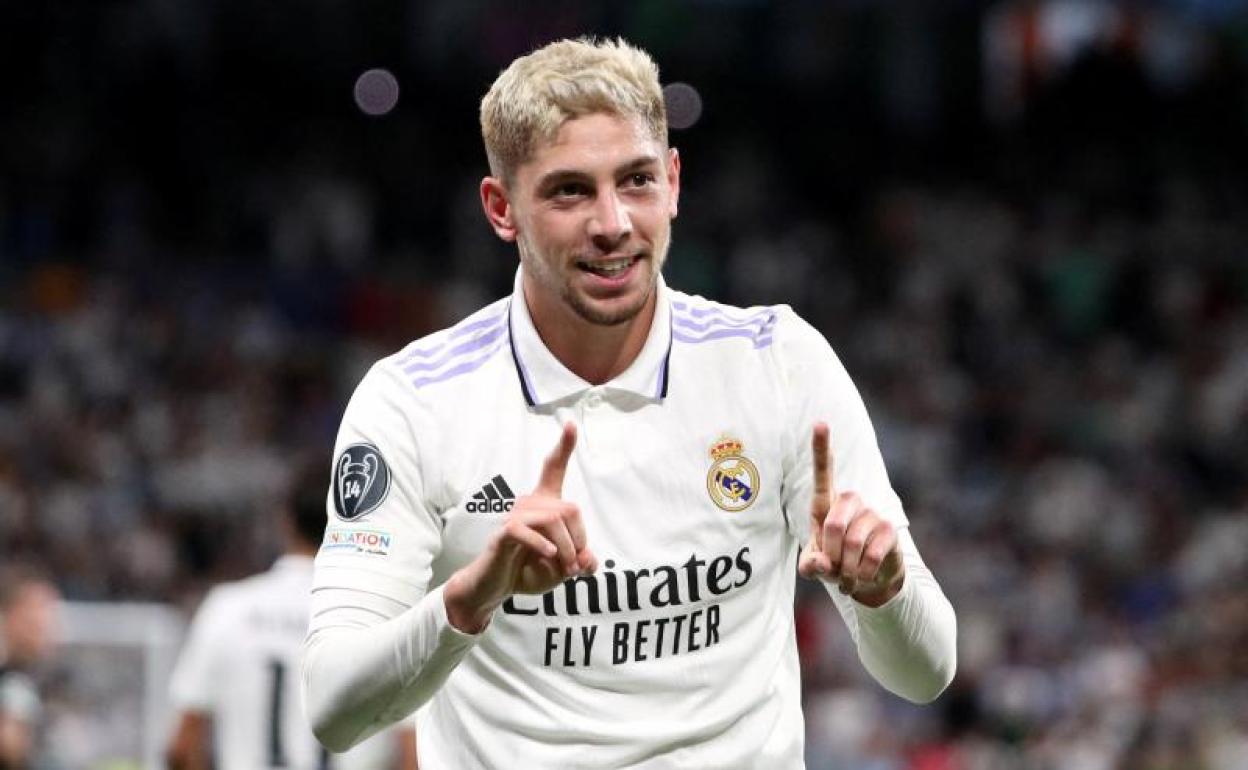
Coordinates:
593 353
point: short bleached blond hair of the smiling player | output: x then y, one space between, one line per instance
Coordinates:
534 97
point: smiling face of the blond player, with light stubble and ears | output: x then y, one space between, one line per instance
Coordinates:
591 214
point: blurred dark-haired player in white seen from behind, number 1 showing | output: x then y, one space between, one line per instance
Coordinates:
235 685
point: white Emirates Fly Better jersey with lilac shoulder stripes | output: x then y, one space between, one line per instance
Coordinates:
693 472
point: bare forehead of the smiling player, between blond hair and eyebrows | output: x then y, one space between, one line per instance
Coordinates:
591 143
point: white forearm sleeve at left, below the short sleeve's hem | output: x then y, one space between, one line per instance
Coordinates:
361 678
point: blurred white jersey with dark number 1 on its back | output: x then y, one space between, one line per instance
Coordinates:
240 666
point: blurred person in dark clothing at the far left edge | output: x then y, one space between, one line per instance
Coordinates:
28 636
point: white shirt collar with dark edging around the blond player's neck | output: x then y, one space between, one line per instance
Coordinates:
545 380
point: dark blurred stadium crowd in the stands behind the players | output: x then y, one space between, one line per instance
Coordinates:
203 246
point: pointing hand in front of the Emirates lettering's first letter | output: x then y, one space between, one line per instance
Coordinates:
541 545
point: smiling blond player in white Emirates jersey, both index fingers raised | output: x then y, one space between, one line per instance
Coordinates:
636 607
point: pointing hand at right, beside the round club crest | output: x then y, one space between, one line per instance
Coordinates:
849 542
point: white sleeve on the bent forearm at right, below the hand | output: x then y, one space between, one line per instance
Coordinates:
910 643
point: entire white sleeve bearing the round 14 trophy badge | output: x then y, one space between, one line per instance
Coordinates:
379 642
